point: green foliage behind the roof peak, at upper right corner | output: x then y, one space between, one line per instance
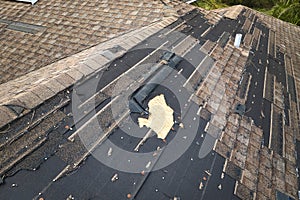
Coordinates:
286 10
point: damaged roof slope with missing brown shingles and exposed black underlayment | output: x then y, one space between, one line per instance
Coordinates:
69 128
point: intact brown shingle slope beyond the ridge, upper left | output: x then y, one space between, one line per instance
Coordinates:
69 27
